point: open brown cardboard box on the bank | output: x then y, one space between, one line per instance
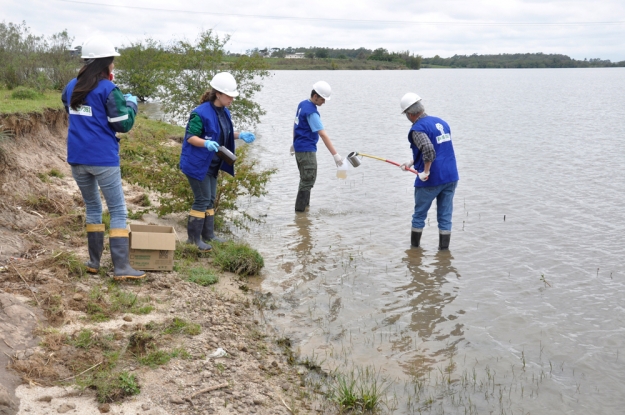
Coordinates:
152 247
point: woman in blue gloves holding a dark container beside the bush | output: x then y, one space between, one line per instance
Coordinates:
209 127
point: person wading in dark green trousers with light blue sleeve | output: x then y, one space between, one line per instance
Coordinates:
306 132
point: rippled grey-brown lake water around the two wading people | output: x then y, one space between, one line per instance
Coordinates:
525 313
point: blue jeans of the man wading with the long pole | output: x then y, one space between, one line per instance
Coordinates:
444 195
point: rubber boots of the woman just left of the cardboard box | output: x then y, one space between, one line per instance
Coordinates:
120 249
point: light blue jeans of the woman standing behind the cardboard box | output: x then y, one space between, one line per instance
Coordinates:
92 179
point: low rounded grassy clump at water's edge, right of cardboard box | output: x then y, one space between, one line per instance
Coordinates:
238 258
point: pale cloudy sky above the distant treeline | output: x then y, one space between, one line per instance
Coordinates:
578 28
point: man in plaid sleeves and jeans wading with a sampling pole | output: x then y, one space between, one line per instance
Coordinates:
433 156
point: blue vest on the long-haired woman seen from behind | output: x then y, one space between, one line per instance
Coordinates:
90 138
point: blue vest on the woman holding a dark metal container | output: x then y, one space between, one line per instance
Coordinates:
194 161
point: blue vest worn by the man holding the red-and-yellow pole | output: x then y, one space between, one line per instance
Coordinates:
443 169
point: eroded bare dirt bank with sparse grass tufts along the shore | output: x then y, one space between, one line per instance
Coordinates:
75 343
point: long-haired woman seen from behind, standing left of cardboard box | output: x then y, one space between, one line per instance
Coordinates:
97 110
